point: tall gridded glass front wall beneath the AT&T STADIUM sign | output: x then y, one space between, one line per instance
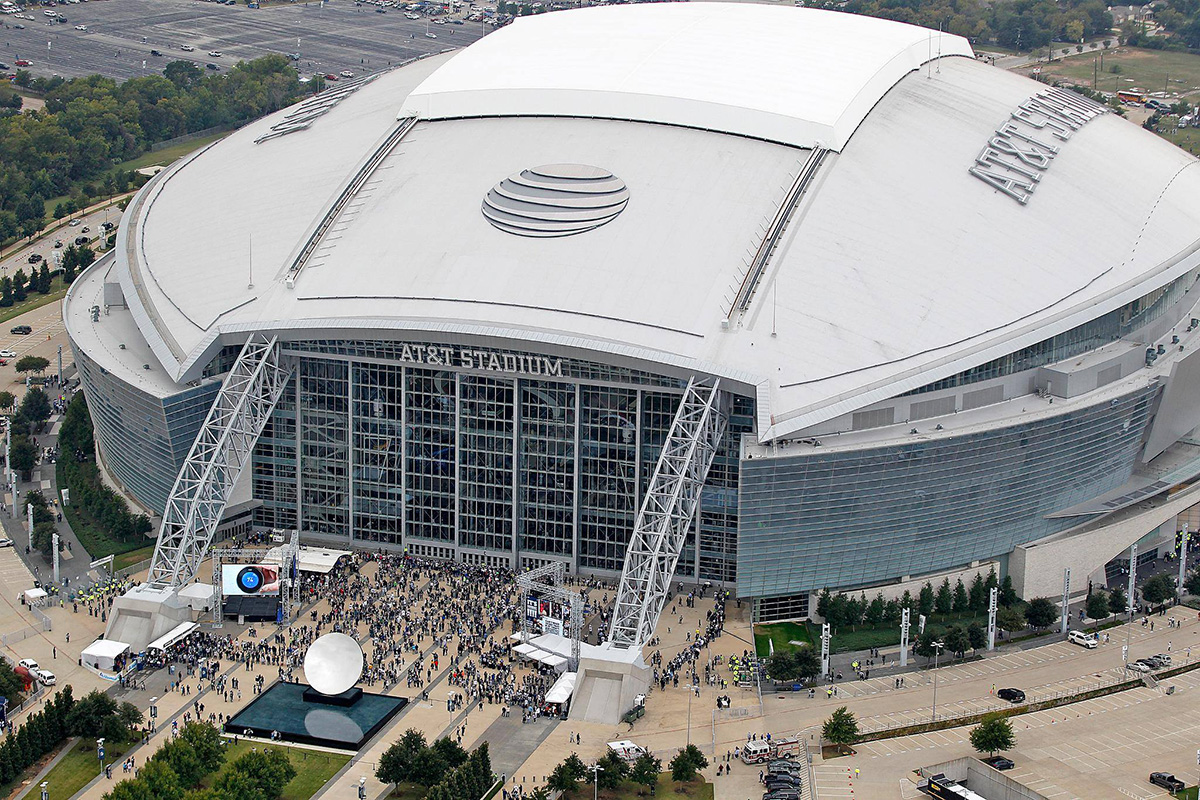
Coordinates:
481 465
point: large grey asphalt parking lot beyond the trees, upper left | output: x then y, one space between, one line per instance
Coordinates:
338 37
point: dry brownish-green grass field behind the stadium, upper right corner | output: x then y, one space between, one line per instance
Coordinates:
1151 71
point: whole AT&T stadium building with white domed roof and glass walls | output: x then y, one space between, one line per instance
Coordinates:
938 317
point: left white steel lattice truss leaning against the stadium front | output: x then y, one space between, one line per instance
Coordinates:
221 452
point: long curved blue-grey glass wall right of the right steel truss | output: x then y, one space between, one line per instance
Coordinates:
853 519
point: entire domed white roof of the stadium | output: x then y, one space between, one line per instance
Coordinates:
898 267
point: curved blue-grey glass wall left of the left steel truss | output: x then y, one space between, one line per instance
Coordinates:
145 438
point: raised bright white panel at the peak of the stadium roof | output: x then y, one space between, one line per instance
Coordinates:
797 79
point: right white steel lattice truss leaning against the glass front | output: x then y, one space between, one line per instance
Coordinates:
668 512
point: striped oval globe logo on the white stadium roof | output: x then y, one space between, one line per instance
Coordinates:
556 201
